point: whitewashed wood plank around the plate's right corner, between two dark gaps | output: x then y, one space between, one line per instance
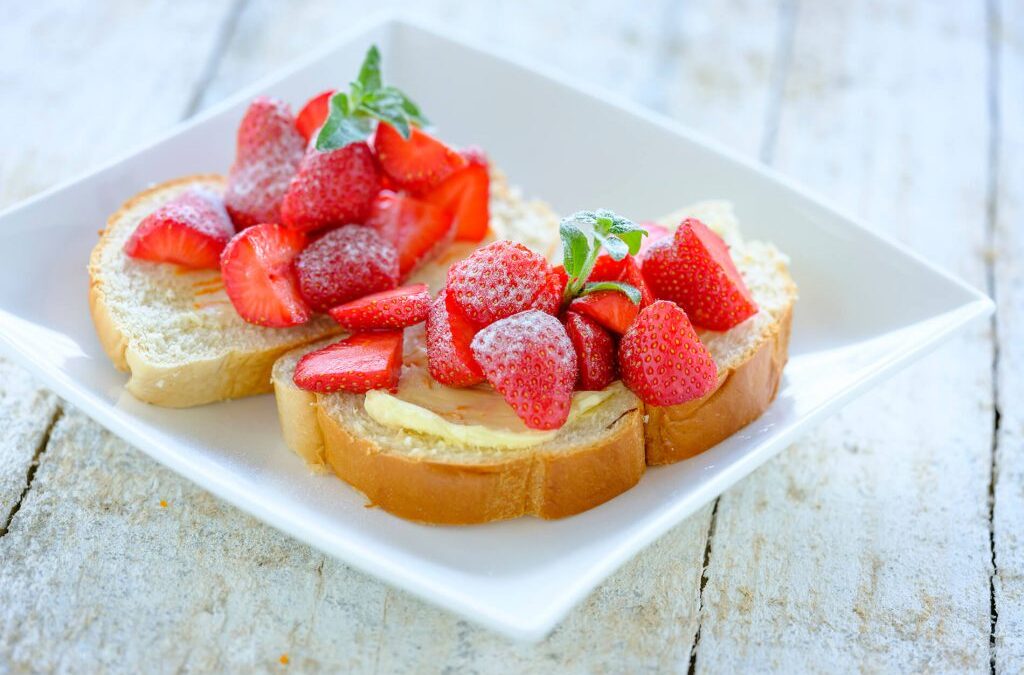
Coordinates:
867 544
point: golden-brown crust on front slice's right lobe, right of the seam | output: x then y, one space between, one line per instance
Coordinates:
678 433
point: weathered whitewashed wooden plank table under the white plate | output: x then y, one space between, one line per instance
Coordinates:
890 539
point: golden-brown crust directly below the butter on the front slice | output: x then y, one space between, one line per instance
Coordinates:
545 485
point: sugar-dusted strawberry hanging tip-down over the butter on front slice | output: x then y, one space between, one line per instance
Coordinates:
530 360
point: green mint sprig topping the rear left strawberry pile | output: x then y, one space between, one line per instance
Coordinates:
352 115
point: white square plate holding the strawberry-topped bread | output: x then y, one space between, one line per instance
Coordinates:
520 578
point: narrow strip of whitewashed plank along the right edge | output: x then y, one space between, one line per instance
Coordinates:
1008 252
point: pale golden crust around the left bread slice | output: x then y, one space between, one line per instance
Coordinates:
238 373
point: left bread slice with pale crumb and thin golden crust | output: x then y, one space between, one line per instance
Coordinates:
175 330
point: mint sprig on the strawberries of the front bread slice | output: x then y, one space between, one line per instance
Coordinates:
584 235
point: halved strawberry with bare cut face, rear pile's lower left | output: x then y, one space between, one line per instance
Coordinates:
260 280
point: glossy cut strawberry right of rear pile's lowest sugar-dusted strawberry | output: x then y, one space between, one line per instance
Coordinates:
419 230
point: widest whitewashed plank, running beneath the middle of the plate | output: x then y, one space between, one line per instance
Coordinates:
259 595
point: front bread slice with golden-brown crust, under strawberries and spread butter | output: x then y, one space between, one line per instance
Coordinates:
593 458
